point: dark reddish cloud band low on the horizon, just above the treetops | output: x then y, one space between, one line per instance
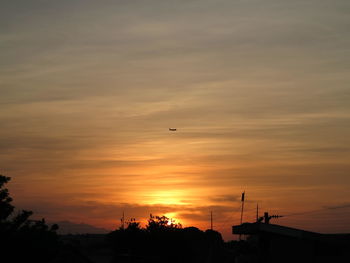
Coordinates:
106 212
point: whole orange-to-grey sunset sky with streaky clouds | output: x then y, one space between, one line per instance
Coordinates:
258 91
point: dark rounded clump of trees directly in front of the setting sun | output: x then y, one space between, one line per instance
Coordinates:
163 241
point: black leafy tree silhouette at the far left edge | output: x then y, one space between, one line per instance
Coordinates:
22 239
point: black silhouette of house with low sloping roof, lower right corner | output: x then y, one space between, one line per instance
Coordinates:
276 243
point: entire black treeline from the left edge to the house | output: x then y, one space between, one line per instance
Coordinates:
161 240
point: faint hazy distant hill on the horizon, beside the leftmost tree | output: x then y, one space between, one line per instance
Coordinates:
67 227
